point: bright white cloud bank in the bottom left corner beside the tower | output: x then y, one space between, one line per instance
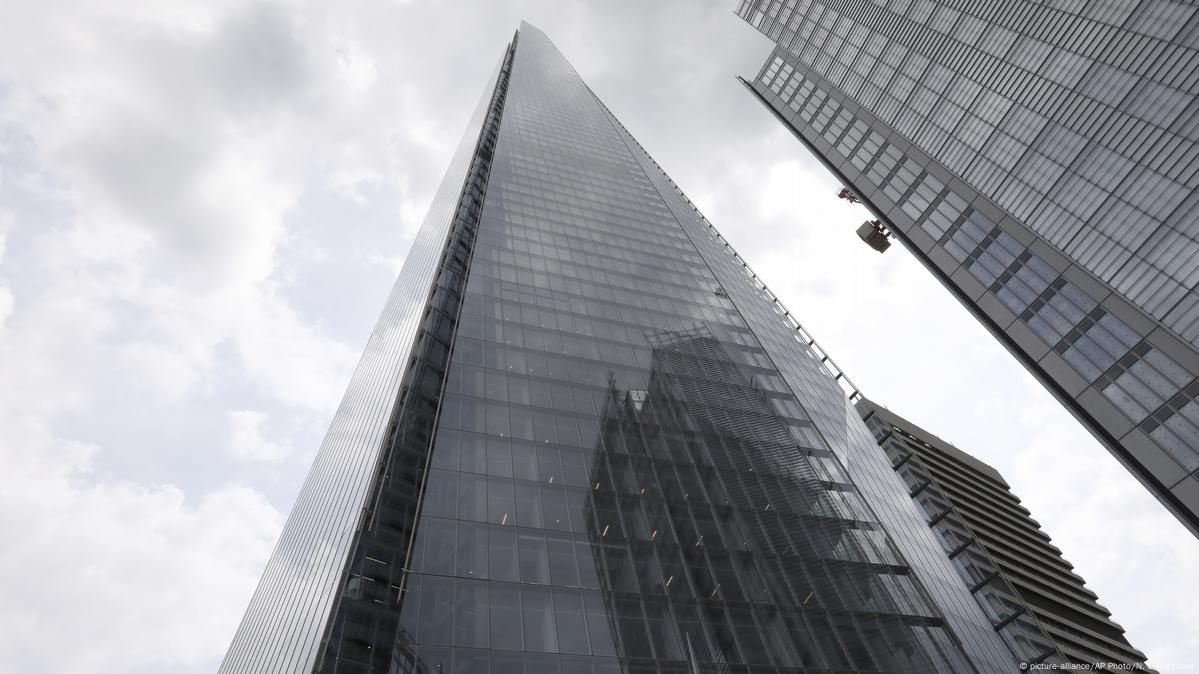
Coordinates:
134 576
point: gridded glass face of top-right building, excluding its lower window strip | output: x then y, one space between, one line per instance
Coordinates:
1077 118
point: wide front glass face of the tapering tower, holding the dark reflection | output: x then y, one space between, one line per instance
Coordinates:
623 479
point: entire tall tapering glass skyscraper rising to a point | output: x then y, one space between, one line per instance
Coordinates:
586 440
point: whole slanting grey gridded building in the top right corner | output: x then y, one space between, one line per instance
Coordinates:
1040 159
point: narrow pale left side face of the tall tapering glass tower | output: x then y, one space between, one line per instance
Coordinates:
282 629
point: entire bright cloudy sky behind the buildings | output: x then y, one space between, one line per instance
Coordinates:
204 204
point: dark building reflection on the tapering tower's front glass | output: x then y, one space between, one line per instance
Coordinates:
720 504
